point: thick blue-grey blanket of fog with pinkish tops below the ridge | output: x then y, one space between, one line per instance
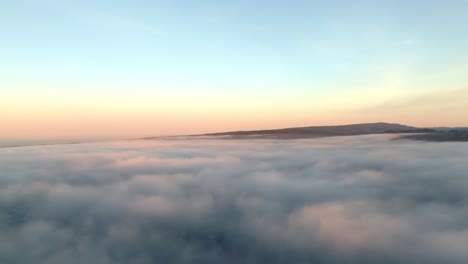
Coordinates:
364 199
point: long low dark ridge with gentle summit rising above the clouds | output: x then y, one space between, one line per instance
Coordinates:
324 131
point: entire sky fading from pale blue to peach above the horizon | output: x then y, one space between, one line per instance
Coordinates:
88 69
